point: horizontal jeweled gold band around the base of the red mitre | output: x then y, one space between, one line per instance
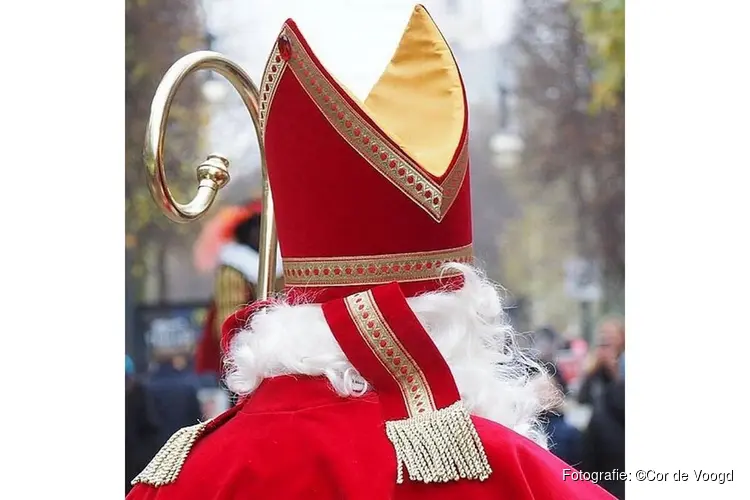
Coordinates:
374 269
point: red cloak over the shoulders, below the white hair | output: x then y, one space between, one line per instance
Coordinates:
294 438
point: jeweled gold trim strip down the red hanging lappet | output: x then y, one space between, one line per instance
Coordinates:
395 359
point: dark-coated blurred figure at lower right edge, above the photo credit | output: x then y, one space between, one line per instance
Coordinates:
604 439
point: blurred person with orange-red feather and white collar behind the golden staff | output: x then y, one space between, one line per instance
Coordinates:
228 245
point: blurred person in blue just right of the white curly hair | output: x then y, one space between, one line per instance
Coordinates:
563 438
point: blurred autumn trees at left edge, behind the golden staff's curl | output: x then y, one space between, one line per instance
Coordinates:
158 32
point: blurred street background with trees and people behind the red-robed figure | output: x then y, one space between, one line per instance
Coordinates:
545 82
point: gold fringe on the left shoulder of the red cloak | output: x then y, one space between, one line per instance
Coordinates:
166 465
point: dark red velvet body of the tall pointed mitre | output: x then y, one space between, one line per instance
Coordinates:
330 202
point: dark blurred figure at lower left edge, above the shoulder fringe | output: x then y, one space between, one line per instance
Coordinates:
141 425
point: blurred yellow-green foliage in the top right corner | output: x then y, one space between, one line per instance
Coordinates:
603 24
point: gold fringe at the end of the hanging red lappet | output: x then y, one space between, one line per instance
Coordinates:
439 446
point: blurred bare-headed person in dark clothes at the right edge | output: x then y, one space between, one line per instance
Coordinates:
603 368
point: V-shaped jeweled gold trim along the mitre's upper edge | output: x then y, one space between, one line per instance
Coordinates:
435 198
